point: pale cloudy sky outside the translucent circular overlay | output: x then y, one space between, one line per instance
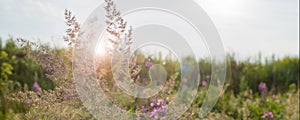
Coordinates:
247 27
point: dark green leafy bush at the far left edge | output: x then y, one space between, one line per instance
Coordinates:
26 70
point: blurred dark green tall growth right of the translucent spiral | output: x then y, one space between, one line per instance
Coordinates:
278 74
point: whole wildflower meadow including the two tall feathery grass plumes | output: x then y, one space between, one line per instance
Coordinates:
37 81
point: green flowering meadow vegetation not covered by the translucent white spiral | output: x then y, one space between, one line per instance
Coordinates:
37 84
